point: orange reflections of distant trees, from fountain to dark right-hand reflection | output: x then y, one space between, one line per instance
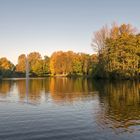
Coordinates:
60 89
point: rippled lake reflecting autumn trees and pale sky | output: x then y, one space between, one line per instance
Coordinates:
69 109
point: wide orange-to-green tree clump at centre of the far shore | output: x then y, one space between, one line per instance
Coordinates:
70 63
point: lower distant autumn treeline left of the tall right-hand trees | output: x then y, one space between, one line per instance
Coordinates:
59 64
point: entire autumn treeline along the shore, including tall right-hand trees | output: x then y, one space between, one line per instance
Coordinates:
117 57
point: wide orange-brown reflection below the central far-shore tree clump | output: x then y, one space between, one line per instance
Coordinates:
69 89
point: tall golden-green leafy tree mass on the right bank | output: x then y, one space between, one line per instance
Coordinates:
119 57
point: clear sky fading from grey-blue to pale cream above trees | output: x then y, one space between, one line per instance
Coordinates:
46 26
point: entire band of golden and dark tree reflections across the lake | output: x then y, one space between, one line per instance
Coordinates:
119 102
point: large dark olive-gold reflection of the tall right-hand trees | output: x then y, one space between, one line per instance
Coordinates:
120 105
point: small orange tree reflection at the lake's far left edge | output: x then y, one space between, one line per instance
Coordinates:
5 87
